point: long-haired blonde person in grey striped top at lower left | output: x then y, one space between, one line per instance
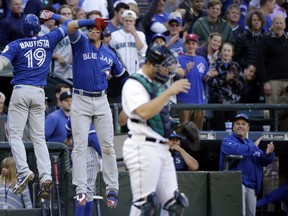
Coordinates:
9 200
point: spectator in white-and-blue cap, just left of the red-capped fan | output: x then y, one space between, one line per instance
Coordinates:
173 41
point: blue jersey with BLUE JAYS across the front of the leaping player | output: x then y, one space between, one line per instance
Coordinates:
91 65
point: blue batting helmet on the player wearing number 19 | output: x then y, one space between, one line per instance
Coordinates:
31 25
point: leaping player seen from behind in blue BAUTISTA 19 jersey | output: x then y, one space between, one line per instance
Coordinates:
31 57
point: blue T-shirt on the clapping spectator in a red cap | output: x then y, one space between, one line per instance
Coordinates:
196 93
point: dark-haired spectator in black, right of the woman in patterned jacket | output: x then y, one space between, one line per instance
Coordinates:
252 90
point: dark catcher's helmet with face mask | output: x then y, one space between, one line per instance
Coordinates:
161 57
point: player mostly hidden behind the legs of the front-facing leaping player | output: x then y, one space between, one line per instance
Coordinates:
94 158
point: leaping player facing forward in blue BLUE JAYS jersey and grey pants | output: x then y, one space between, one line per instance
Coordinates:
93 63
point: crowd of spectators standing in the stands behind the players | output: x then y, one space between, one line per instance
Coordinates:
230 38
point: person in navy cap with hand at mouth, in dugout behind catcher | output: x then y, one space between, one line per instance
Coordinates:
182 160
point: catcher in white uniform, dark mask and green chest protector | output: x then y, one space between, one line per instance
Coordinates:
146 152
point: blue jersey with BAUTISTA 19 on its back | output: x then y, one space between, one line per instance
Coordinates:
31 57
